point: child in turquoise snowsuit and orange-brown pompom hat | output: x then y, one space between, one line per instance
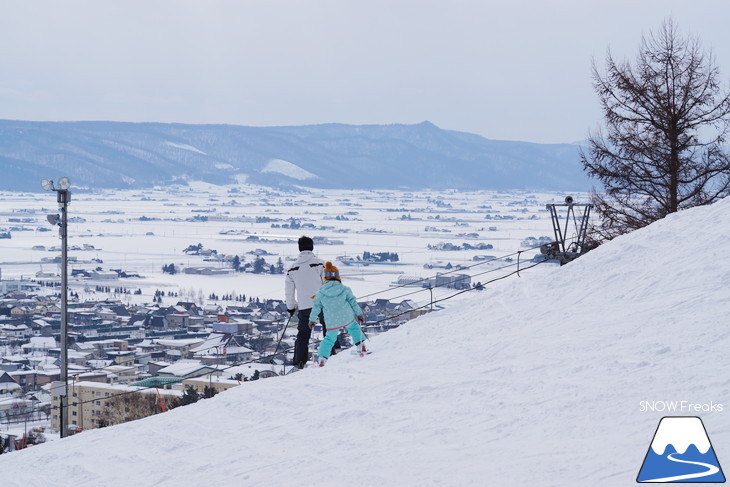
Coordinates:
340 311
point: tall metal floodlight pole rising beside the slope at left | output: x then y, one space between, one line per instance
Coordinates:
64 198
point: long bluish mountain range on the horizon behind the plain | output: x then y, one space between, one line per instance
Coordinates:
137 155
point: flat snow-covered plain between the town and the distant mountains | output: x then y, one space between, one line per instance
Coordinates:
140 231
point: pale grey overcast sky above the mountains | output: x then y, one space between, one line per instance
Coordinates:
505 70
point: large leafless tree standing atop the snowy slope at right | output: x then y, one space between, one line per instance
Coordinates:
666 121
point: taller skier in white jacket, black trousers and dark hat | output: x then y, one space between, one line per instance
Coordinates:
302 281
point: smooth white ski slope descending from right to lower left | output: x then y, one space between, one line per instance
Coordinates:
537 382
